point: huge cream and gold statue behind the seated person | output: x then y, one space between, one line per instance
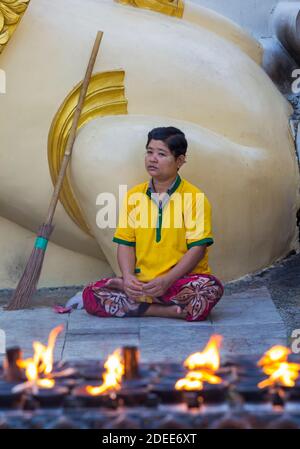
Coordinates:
197 71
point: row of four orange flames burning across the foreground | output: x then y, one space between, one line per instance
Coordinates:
201 366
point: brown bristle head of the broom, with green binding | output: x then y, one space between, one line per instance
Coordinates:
29 280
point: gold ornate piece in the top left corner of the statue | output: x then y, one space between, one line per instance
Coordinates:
11 12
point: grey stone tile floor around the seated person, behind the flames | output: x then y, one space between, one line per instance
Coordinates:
256 312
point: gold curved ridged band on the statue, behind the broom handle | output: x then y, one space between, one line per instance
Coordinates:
105 96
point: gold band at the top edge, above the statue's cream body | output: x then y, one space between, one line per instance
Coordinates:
169 7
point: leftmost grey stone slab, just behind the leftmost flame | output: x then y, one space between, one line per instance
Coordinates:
22 327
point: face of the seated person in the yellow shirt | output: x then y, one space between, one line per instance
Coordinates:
160 162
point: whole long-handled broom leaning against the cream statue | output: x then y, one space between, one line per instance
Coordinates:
29 280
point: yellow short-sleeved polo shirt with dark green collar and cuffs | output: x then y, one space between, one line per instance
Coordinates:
162 228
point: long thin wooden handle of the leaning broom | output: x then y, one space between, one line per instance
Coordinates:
72 135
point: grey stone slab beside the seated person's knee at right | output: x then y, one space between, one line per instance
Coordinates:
250 307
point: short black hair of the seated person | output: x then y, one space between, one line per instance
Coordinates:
172 137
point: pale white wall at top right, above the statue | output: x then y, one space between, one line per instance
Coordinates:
253 15
